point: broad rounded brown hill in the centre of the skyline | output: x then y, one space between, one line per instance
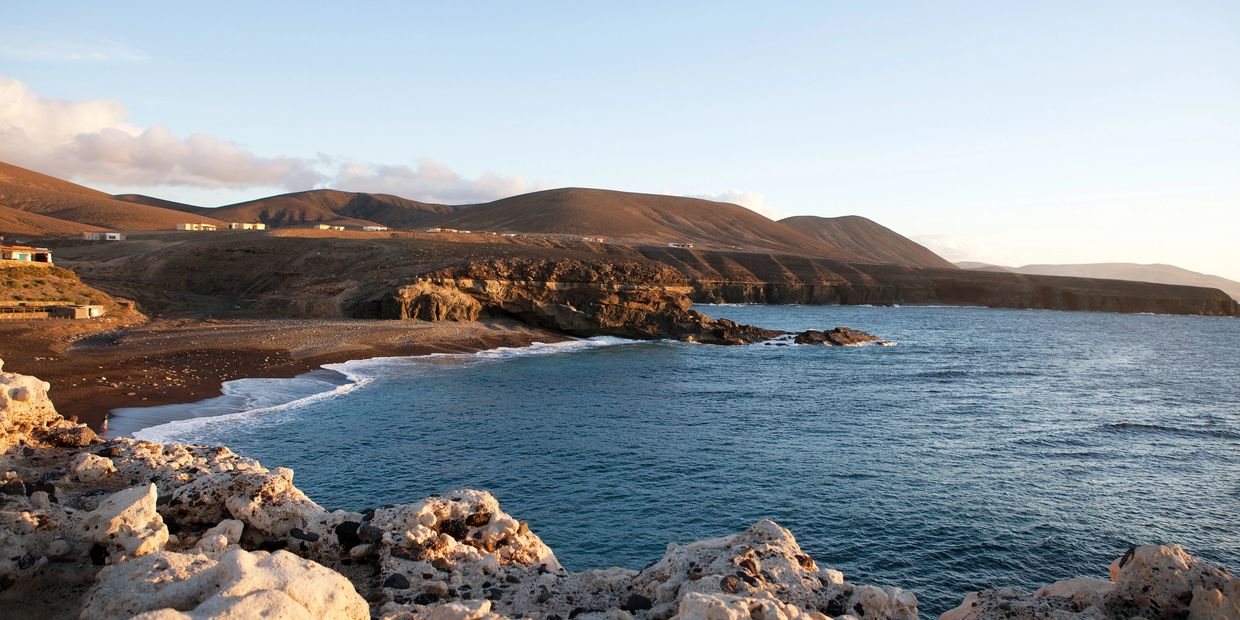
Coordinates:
639 219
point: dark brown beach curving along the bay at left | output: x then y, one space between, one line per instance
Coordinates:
168 363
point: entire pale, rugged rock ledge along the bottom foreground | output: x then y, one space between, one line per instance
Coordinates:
125 529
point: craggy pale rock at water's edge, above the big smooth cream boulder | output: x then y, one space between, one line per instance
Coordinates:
266 502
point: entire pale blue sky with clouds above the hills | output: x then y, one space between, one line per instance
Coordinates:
1011 133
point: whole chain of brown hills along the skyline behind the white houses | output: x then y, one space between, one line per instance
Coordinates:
35 204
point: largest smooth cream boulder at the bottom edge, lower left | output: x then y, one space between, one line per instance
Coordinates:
239 585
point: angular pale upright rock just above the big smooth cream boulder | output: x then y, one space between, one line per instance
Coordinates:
127 521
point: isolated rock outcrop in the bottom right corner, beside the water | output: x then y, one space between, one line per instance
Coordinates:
1151 582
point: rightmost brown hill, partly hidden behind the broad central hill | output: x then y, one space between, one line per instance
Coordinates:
869 240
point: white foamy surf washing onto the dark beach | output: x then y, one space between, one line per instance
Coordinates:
254 397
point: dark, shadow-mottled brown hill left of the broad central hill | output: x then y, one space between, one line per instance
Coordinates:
334 208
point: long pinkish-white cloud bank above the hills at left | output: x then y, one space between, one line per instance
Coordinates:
94 142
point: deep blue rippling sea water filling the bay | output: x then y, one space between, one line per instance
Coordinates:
988 448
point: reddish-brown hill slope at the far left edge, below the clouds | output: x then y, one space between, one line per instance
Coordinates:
33 193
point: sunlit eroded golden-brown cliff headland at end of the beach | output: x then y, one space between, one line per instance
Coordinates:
580 298
